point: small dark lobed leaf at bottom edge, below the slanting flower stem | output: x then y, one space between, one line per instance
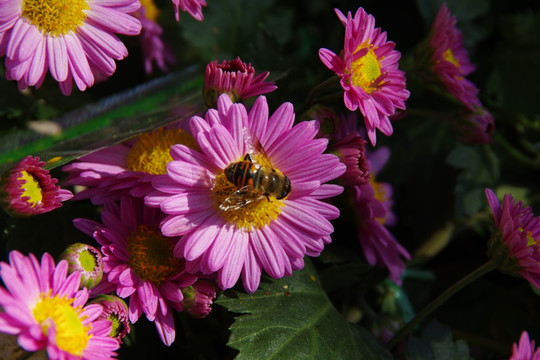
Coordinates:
436 344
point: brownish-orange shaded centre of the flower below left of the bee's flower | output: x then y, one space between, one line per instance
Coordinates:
151 255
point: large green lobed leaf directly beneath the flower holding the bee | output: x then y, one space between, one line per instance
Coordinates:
292 318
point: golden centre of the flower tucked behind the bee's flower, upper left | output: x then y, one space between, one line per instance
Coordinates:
150 154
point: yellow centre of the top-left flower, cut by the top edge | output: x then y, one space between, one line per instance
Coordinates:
55 17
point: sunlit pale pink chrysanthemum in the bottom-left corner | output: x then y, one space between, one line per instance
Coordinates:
44 307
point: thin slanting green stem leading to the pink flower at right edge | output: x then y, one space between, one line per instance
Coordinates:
479 272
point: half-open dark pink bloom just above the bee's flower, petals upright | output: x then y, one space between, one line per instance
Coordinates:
234 78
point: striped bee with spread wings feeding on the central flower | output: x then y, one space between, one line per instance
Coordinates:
253 180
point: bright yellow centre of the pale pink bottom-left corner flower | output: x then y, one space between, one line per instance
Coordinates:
71 334
